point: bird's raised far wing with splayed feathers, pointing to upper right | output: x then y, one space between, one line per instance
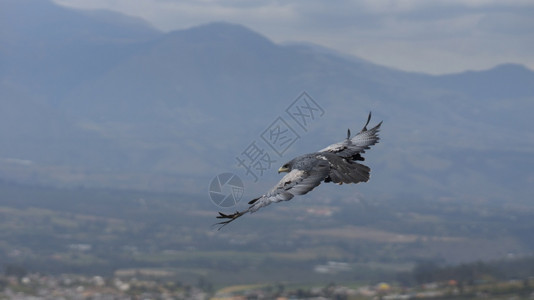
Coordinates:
351 148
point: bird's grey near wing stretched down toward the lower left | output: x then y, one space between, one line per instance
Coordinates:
296 182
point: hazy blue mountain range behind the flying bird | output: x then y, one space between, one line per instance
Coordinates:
102 99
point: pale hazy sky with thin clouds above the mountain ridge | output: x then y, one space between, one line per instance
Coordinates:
432 36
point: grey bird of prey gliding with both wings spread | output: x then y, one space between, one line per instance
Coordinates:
336 163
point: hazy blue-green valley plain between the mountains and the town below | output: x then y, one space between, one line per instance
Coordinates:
106 232
